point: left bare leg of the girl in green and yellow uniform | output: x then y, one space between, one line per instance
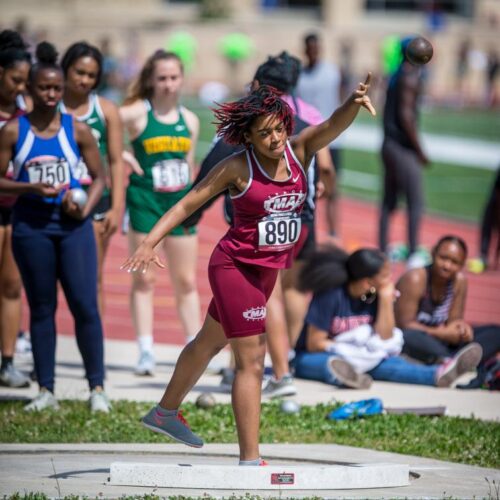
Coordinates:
142 292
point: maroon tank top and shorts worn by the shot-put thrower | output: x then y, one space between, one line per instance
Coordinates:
245 264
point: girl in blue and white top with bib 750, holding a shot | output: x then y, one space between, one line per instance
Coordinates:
52 236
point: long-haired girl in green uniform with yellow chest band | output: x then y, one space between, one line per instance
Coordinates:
163 136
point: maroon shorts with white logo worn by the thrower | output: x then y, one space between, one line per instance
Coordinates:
240 294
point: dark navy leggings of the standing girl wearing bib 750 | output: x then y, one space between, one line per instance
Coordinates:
68 256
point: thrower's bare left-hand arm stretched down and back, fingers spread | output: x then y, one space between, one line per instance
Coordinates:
227 173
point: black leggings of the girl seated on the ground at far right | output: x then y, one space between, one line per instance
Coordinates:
430 350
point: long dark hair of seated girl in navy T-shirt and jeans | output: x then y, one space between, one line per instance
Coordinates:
330 267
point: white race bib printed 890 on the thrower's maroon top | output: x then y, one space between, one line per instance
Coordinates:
279 232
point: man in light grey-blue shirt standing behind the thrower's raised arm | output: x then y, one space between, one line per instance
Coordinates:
319 85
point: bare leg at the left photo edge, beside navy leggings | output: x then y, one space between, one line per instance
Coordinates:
10 299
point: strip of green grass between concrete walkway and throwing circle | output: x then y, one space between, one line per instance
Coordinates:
463 440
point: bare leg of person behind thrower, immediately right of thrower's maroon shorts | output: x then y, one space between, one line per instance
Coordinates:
277 338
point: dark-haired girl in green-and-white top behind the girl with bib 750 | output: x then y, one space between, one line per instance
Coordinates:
82 66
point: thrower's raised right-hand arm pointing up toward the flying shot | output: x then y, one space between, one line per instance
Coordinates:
312 139
